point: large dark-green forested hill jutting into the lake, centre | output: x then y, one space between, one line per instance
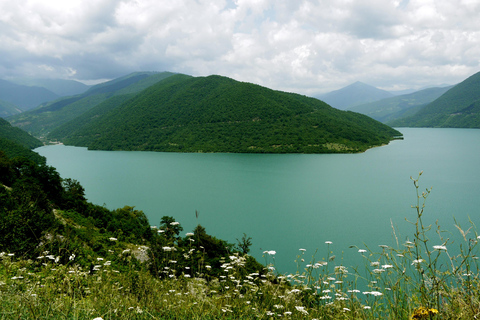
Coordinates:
218 114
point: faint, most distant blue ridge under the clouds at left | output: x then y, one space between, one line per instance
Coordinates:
60 87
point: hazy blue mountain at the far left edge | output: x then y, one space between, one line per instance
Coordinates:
24 97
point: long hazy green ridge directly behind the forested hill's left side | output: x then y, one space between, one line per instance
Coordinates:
48 116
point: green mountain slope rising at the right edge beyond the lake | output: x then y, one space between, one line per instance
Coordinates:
459 107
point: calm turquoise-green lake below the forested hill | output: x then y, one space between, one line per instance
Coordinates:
287 202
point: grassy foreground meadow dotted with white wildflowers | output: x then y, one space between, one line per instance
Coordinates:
417 279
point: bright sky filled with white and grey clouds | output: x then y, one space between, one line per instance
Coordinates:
302 46
